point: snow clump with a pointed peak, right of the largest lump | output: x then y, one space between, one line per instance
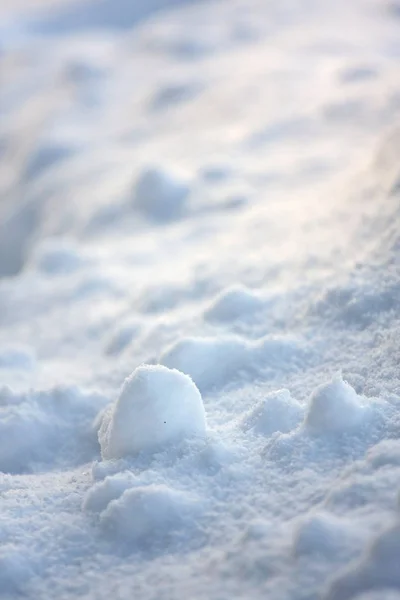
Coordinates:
334 407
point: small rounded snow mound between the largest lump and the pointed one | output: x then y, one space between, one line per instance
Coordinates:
278 411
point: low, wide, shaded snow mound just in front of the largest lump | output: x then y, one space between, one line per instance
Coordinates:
150 514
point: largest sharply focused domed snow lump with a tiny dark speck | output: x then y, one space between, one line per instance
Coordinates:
156 406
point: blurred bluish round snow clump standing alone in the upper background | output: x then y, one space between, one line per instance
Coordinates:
160 195
